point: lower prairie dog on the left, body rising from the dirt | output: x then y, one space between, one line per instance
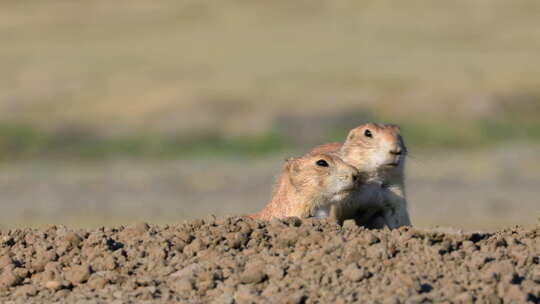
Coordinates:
309 184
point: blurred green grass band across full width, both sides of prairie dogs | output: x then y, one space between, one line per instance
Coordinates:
20 142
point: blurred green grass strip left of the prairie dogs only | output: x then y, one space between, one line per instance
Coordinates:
20 142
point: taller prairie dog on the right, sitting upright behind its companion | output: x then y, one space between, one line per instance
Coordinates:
379 151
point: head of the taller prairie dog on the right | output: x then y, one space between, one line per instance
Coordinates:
375 147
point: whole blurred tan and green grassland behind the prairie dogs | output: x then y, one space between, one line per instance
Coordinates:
119 111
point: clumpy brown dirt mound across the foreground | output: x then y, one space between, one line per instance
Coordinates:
238 260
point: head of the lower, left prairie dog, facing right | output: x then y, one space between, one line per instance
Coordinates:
321 178
